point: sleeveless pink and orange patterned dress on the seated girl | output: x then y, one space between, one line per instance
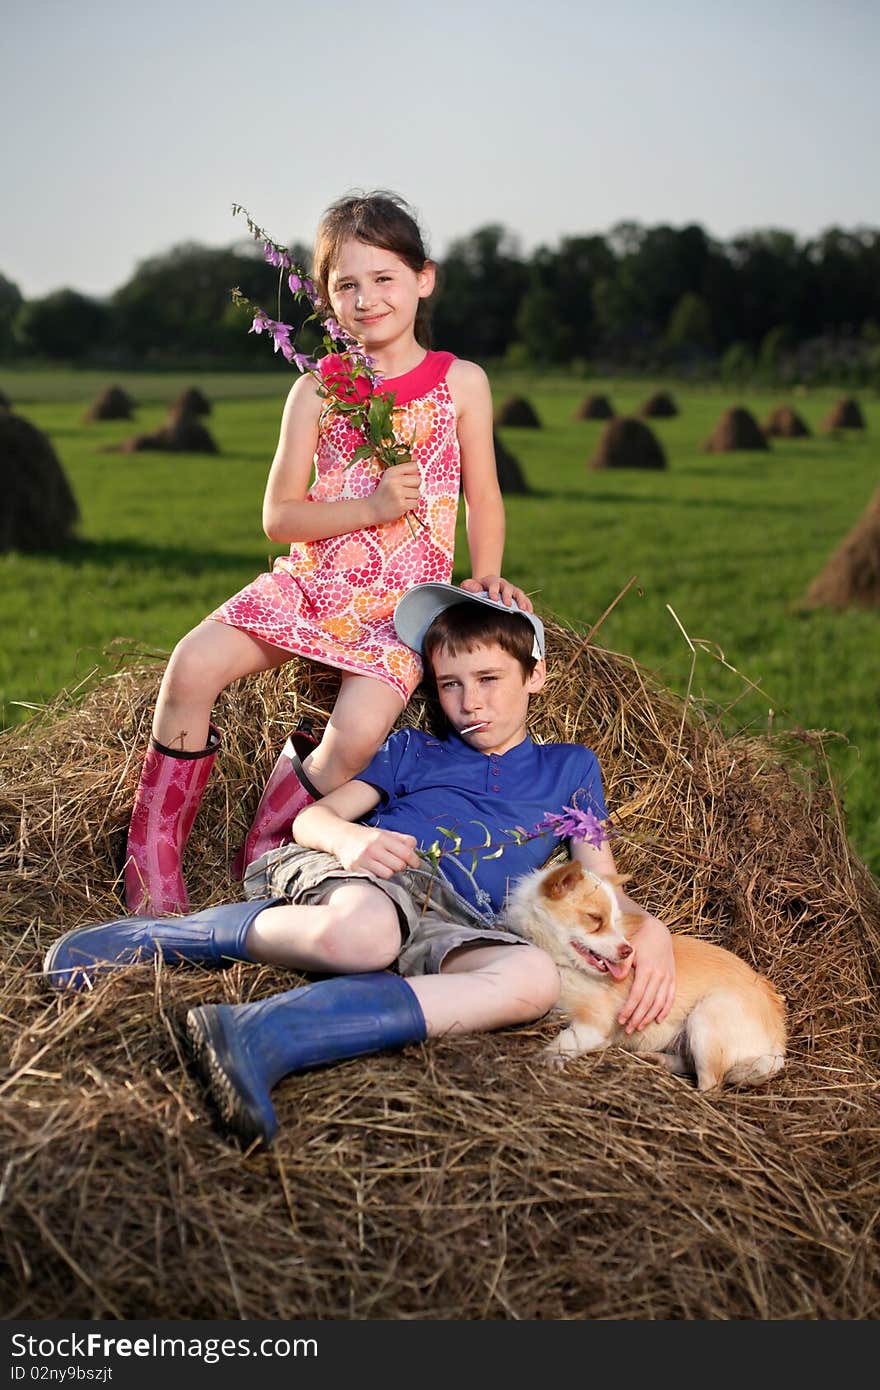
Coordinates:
334 600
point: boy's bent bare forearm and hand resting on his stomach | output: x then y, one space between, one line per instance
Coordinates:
330 825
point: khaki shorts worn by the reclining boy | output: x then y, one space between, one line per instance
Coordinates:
434 918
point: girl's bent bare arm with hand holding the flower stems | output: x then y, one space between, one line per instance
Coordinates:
288 516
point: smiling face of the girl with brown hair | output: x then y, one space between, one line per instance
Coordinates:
375 294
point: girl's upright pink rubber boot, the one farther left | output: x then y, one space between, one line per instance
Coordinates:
166 804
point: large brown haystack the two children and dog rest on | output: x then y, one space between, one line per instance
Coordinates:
458 1179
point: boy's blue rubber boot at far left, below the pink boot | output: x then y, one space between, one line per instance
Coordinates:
215 936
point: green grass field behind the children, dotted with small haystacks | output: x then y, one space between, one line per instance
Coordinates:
725 543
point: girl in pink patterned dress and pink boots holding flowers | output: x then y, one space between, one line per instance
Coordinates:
361 536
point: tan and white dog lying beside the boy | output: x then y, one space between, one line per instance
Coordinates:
728 1024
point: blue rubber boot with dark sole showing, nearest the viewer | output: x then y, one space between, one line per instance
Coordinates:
241 1050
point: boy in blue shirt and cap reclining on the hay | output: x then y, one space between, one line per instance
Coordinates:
352 896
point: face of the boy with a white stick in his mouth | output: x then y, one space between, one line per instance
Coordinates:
486 693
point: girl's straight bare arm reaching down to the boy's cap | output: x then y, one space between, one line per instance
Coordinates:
484 508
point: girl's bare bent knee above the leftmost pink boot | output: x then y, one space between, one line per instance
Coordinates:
202 665
